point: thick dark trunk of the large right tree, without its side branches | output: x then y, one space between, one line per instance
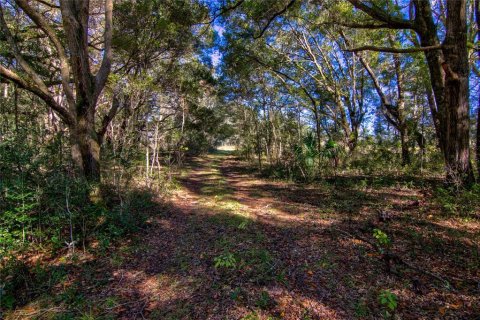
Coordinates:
449 72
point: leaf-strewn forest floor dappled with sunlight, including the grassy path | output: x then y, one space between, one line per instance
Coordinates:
231 245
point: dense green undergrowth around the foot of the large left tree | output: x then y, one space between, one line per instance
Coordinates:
44 206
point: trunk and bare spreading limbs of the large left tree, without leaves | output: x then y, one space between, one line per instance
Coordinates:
72 67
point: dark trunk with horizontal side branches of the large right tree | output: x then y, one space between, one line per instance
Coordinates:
449 74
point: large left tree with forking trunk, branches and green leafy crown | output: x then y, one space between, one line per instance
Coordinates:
68 59
